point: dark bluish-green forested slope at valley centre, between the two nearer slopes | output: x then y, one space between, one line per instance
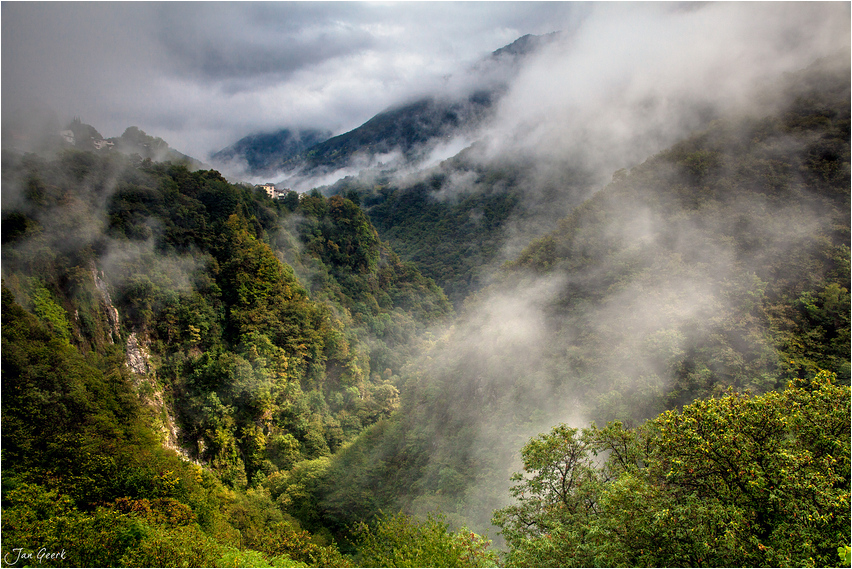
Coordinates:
460 220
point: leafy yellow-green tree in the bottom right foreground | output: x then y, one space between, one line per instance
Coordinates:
730 481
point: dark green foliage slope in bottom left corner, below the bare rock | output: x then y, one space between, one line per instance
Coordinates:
85 478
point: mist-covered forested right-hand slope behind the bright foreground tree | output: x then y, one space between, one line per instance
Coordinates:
720 262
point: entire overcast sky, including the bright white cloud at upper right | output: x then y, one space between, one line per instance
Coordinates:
202 75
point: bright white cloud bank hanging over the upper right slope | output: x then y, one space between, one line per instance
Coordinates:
633 79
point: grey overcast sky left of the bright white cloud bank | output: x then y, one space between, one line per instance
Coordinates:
201 75
